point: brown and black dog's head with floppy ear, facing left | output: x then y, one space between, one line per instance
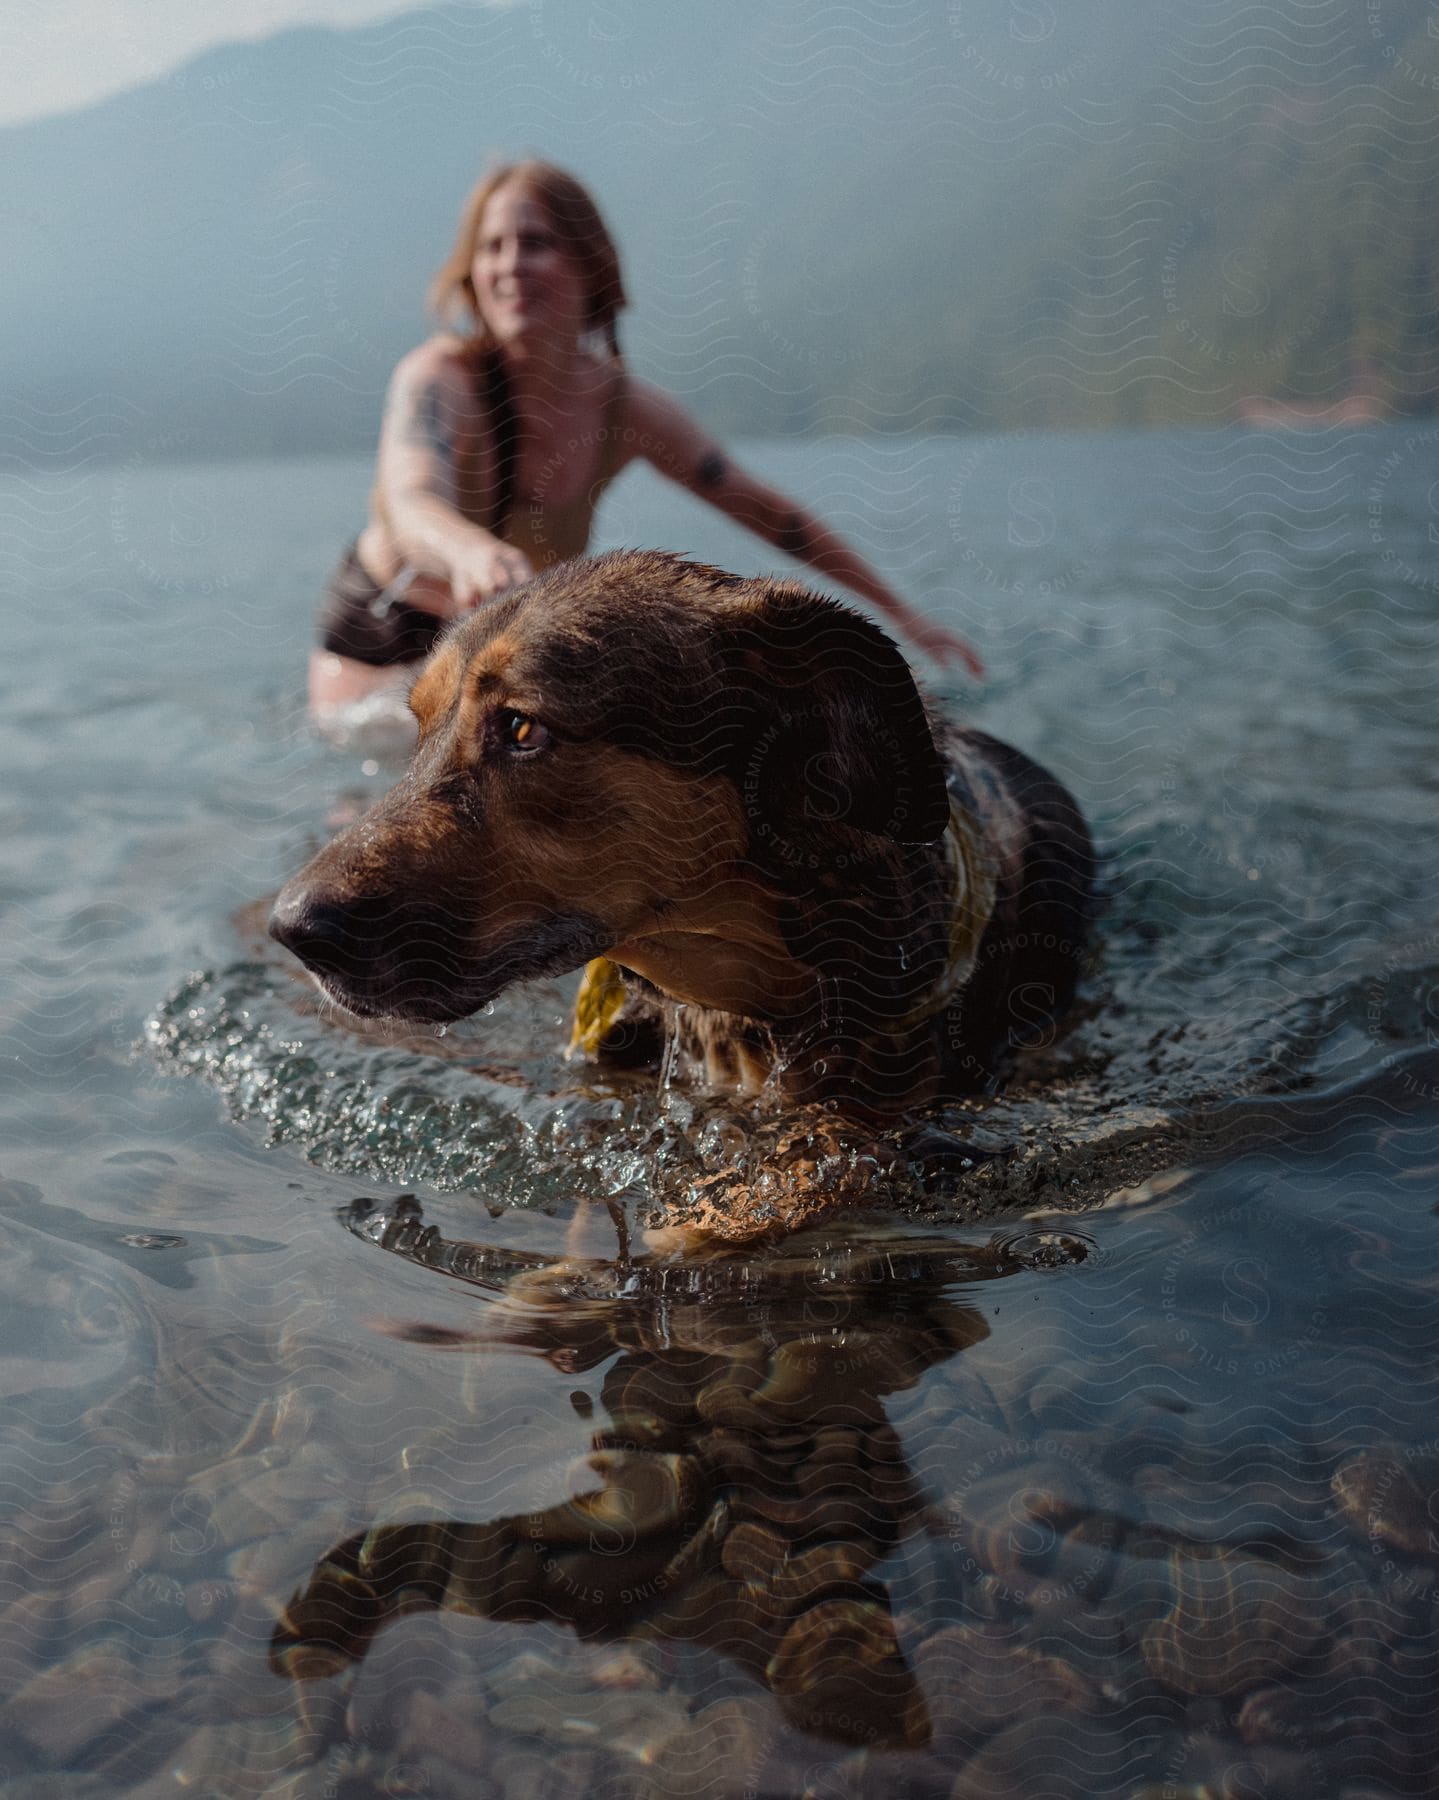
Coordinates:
608 757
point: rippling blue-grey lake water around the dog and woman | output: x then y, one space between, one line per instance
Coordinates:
354 1439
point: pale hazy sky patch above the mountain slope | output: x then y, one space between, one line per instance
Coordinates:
57 55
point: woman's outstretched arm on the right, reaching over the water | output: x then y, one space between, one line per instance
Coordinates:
671 440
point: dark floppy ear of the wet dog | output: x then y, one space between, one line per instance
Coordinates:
831 726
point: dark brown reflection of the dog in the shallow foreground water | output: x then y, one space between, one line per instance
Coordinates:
743 1486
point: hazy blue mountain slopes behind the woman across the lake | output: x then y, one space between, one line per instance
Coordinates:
955 213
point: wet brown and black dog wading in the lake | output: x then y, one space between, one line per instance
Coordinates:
732 791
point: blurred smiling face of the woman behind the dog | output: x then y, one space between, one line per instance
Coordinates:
527 283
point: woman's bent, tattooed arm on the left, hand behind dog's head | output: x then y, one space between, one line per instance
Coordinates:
430 411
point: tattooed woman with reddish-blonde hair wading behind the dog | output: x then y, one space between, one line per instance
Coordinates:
496 447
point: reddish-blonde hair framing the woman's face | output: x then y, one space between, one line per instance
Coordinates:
575 222
